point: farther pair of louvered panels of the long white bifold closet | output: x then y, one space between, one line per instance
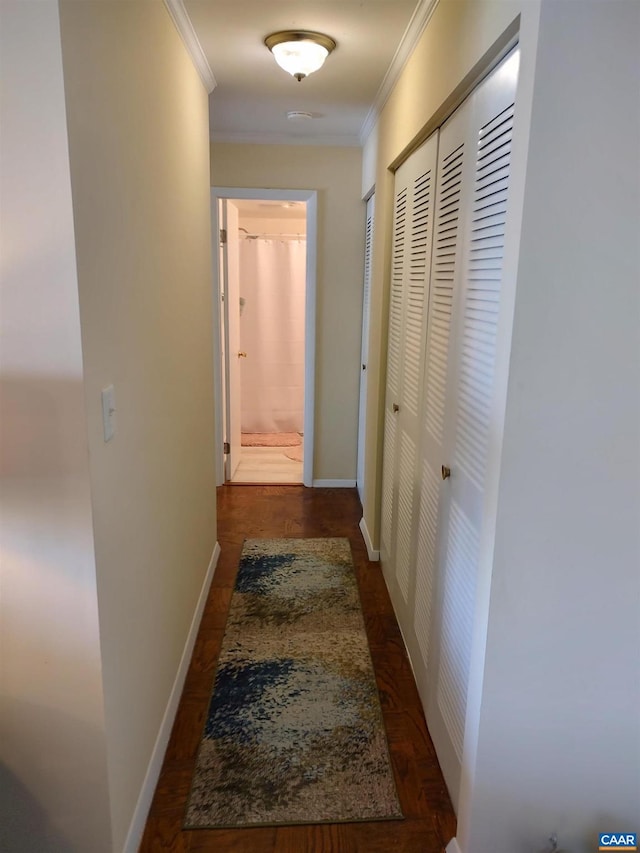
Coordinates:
411 259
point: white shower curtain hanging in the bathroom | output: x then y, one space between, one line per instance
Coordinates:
272 291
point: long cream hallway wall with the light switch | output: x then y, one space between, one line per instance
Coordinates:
139 146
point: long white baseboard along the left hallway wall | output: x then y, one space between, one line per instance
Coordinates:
141 812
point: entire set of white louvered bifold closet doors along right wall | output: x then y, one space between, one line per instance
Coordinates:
435 463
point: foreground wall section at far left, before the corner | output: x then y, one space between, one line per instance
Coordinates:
53 774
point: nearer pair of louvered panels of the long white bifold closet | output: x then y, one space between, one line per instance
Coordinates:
468 425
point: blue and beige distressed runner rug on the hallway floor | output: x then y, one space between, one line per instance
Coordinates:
294 732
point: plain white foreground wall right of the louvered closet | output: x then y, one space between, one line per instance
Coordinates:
559 728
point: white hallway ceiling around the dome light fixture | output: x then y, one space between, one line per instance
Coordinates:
253 95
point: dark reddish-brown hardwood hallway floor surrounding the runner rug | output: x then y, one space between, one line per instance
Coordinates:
276 511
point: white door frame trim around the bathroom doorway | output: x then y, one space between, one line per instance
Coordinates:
310 197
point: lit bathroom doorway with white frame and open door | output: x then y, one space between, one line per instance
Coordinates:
264 280
